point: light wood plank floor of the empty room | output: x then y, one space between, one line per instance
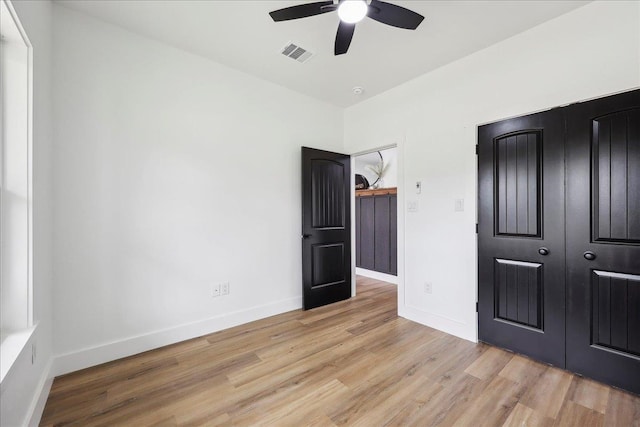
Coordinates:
352 363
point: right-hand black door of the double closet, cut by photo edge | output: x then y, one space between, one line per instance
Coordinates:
603 240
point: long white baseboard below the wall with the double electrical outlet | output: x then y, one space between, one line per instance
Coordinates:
85 358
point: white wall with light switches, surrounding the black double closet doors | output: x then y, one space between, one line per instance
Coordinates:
592 51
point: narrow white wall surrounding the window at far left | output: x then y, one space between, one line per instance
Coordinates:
26 385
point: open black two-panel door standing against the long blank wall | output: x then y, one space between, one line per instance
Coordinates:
326 227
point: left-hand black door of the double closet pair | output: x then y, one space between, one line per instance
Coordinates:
521 266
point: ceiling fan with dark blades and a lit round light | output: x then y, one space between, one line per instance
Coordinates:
351 12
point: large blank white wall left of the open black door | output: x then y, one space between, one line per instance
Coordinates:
172 173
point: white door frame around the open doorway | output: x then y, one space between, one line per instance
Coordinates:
399 145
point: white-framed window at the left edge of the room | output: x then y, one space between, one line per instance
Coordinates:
15 188
